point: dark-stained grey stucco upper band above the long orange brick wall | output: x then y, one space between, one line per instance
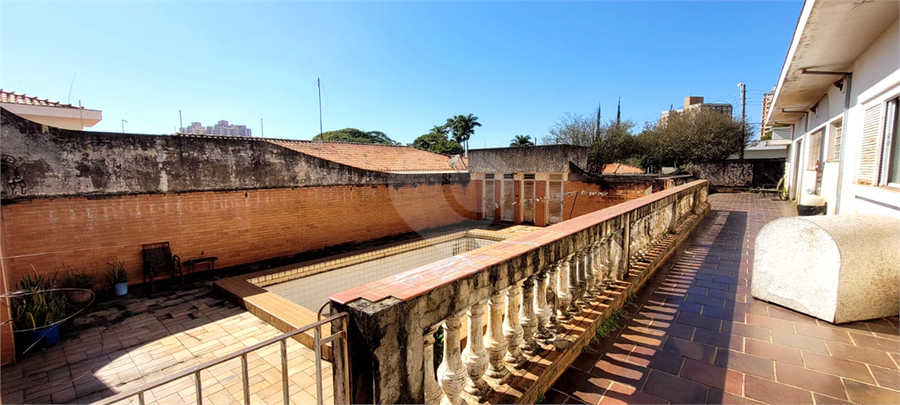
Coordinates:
72 163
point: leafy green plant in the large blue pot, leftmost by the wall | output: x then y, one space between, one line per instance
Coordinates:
39 309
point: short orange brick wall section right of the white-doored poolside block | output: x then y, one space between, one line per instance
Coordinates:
584 204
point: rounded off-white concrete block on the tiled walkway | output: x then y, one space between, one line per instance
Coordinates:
839 268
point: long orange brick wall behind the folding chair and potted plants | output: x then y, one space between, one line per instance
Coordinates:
237 226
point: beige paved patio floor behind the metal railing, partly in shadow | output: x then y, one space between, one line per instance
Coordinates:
132 341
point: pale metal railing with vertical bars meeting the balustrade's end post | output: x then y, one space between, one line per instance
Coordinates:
341 335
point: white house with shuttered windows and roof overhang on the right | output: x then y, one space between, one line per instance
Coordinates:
839 91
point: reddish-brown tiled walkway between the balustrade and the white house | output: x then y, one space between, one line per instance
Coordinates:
695 335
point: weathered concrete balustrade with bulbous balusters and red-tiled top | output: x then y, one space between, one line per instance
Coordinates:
545 292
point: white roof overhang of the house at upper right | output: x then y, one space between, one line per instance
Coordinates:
829 37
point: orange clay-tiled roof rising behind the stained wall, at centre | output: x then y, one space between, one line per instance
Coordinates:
380 158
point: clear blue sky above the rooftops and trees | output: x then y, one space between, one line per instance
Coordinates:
396 67
